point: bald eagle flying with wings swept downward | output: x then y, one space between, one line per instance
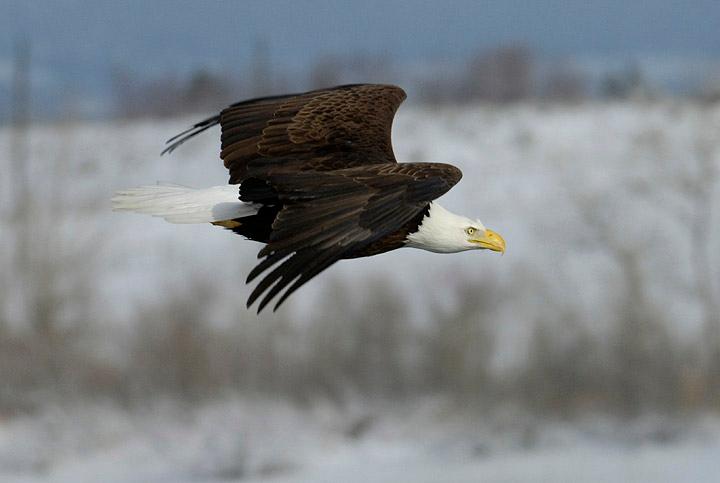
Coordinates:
313 177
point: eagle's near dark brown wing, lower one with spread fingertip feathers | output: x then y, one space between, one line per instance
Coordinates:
328 216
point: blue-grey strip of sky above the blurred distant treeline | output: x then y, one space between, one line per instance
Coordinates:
76 44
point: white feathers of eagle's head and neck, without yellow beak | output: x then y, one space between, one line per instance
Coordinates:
438 231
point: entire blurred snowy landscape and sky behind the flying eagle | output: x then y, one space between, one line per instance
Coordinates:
589 136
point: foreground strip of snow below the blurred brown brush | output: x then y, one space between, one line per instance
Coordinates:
256 441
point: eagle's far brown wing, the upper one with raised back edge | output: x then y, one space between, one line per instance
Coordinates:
321 130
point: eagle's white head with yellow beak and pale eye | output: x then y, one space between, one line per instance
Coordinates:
444 232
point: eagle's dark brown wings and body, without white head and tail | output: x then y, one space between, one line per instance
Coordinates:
326 156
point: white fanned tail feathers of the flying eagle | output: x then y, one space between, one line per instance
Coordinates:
180 204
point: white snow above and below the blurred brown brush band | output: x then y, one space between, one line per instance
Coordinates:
571 188
